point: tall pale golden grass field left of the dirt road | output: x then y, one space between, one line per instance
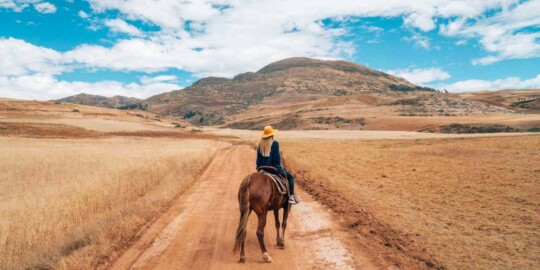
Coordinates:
72 204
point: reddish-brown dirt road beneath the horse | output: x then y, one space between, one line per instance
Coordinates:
198 231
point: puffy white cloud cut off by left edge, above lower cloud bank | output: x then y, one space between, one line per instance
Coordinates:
18 57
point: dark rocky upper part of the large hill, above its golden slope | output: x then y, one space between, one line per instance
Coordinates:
211 101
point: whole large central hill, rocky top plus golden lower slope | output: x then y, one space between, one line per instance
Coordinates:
303 93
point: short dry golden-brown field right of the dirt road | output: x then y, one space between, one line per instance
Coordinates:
465 203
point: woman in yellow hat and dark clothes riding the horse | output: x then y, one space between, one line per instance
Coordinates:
268 155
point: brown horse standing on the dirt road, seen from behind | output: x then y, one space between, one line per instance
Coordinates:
258 193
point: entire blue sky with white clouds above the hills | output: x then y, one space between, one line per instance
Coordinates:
53 49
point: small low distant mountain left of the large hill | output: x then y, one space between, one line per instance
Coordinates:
101 101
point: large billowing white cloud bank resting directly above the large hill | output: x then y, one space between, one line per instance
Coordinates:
222 51
